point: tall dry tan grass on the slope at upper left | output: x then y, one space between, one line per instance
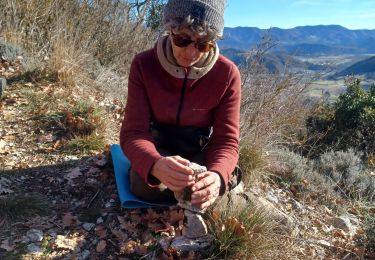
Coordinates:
74 40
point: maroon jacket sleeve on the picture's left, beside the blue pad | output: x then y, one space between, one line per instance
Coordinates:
135 137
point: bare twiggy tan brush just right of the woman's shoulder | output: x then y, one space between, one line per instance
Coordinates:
272 109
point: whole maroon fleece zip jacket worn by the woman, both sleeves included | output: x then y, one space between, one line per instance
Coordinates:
154 94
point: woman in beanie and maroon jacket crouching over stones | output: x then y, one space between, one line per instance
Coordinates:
183 105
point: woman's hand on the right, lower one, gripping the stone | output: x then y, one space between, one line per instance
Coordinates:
206 189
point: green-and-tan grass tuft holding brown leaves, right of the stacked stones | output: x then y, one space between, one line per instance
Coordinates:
240 233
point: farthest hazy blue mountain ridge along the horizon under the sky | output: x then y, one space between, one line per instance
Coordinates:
303 40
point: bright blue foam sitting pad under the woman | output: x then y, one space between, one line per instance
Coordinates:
128 199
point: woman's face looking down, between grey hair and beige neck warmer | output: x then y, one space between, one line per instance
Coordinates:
189 55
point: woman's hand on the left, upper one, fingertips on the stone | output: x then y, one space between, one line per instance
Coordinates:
173 172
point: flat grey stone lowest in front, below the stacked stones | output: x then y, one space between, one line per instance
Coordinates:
186 244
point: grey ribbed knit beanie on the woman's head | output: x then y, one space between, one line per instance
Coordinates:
210 11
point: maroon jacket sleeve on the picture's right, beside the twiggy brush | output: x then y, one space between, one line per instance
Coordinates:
222 154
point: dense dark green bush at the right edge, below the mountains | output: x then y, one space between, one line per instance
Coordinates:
349 123
